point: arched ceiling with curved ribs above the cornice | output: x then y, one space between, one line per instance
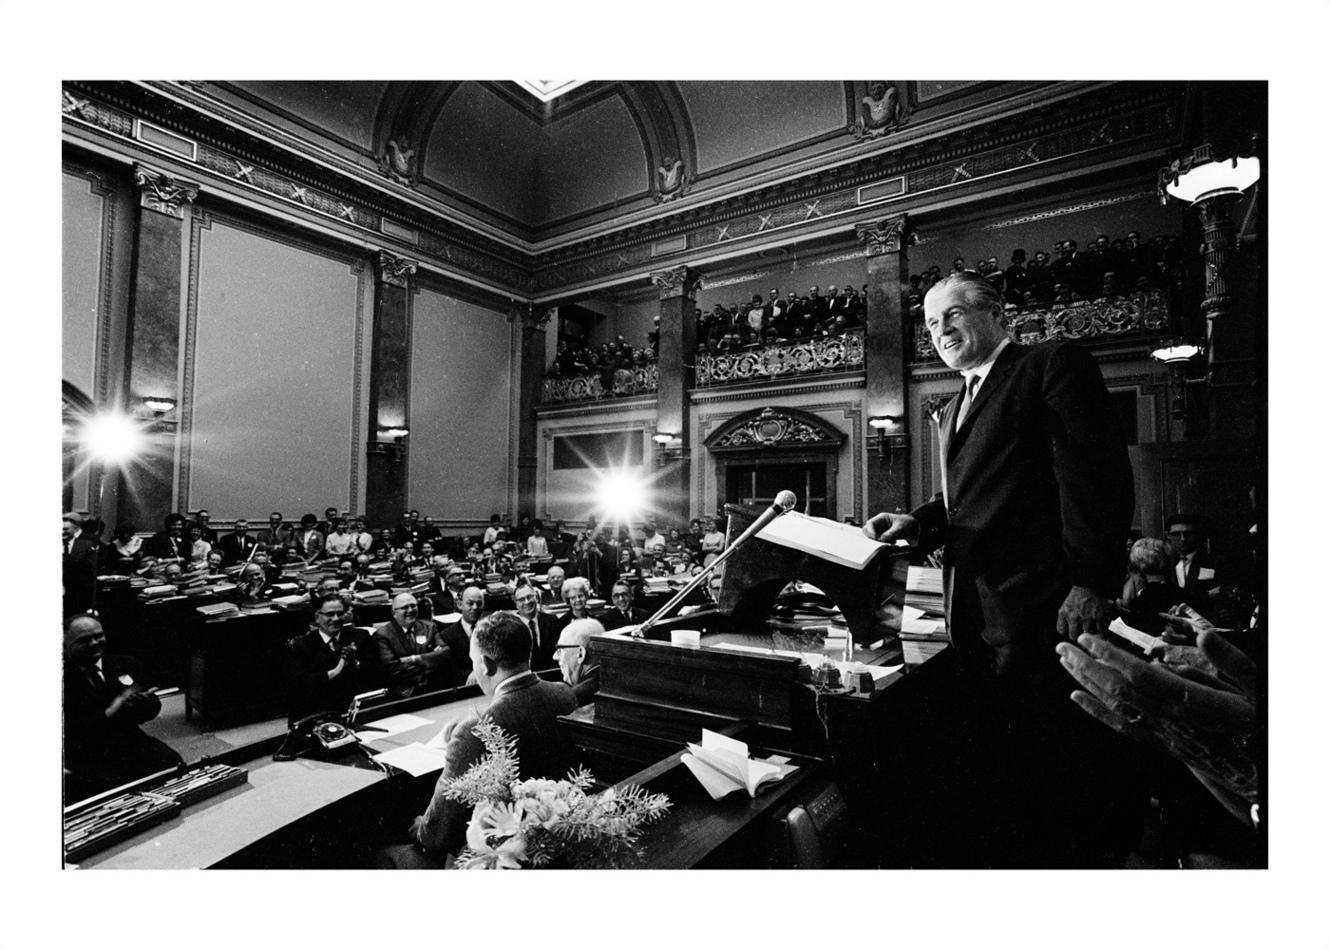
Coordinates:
538 171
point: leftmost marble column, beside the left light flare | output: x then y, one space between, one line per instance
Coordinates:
154 344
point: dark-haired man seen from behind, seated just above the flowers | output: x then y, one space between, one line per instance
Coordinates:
523 706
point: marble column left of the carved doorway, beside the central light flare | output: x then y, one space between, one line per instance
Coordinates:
678 376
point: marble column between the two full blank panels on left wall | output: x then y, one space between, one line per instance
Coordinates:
388 453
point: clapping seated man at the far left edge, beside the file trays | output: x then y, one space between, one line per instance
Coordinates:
104 702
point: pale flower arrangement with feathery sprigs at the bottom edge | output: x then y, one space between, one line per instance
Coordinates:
541 822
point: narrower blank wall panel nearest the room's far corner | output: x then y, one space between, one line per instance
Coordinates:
461 397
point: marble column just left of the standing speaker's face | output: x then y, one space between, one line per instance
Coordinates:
885 341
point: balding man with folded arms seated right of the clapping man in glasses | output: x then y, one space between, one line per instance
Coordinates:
417 655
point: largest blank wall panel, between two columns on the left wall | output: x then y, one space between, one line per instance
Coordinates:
275 406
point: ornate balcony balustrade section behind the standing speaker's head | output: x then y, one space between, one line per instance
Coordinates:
1143 312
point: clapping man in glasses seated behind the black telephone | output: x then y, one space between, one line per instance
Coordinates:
331 665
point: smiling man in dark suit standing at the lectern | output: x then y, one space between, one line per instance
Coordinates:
1037 498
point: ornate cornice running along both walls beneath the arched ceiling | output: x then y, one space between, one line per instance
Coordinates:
1099 120
